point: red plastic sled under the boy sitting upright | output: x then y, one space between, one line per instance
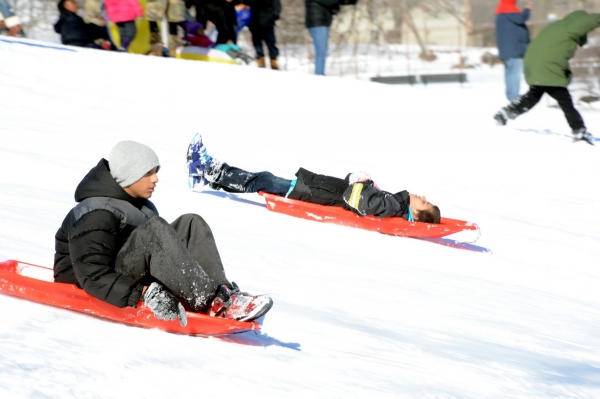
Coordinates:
35 283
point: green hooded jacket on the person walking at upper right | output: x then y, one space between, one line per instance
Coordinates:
546 61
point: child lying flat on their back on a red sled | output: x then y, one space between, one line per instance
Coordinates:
357 192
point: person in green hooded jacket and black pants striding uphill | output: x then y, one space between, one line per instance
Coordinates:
546 66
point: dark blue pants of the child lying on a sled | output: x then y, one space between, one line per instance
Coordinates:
236 180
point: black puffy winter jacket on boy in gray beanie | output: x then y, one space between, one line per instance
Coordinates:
92 234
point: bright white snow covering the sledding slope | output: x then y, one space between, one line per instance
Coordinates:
356 314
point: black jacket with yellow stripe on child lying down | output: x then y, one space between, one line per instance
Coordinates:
332 191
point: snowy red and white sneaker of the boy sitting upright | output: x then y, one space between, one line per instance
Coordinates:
236 305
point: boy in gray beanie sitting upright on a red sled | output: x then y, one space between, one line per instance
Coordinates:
114 245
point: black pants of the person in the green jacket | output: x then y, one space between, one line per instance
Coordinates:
560 94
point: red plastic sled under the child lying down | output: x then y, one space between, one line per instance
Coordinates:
393 226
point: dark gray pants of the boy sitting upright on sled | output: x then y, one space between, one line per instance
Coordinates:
182 256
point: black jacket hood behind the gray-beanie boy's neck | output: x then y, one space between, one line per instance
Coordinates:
100 183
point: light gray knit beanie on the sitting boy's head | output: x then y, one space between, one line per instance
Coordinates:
129 161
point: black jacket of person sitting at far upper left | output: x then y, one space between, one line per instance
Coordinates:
74 31
